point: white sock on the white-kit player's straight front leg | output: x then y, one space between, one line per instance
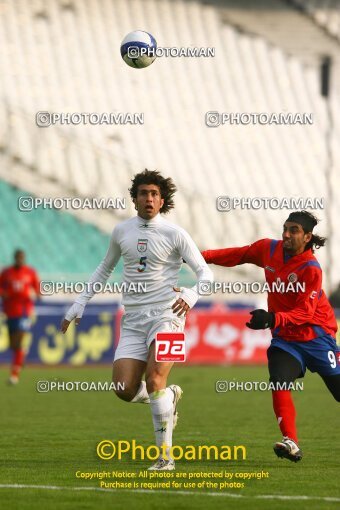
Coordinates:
162 416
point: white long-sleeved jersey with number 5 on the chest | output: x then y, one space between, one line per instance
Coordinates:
153 252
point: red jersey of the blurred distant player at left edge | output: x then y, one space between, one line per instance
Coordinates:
16 285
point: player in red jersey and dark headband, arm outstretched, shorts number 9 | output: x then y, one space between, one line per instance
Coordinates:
302 323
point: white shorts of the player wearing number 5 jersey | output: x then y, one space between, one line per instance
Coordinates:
138 329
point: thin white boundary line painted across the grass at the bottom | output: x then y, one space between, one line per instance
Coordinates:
173 492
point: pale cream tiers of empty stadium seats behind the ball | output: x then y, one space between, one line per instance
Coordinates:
62 56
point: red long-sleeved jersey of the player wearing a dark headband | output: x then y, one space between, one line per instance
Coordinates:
299 316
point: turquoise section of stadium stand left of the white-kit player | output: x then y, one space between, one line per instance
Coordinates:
33 230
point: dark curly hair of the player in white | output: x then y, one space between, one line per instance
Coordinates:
166 186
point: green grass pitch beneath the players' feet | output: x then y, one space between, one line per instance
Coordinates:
47 437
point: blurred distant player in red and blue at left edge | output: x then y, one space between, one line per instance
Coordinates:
17 284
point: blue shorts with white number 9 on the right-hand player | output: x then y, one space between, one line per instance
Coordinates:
321 355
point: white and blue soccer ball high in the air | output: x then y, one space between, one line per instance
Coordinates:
138 49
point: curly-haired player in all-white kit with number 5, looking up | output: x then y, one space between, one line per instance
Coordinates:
153 251
